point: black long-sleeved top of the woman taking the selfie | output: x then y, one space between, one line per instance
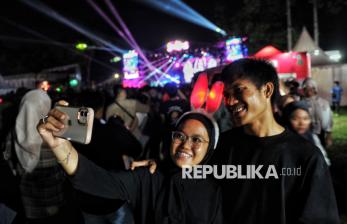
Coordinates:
156 198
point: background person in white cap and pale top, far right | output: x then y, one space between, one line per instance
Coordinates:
321 114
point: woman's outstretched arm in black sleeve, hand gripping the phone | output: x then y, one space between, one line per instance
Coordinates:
85 175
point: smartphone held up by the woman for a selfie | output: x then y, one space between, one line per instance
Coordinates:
78 124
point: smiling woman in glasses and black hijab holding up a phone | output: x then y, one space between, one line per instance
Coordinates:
162 197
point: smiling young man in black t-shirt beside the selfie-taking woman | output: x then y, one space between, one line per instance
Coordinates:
302 191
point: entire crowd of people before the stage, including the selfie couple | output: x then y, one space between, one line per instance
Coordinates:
62 181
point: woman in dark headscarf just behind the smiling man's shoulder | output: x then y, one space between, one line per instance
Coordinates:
297 118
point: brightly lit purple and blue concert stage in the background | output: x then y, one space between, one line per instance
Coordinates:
180 62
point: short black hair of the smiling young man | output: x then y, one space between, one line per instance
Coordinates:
258 71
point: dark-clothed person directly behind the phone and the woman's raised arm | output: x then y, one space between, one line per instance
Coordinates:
109 143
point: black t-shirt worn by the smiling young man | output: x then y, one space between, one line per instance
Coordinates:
307 197
